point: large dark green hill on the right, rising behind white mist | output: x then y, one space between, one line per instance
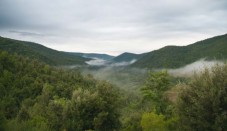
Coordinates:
177 56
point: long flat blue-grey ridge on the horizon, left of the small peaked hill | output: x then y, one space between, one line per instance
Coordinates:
93 55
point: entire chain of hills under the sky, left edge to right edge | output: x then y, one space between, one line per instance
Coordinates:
214 48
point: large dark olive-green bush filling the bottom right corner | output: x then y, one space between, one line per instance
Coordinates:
203 103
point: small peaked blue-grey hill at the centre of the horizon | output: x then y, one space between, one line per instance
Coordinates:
127 57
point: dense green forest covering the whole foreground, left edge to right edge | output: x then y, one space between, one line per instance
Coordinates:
36 96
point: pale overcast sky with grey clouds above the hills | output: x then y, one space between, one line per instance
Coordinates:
112 26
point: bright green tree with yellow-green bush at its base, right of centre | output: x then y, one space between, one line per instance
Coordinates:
162 116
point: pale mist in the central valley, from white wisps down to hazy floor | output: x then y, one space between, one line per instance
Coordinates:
117 73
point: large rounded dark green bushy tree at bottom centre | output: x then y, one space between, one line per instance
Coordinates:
96 110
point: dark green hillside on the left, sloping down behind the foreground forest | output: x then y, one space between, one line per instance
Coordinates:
40 52
